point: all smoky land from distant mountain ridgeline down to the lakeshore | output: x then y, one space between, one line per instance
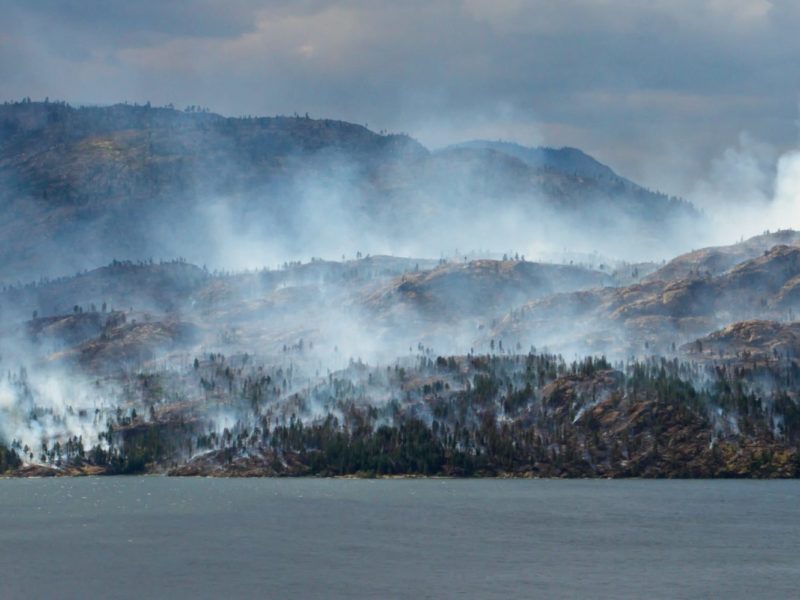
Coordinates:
194 294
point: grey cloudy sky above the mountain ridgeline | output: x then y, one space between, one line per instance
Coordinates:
656 88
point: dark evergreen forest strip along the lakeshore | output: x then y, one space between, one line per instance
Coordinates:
531 415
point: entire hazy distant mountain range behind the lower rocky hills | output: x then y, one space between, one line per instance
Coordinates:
82 186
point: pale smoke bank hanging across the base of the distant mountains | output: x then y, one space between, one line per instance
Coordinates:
454 206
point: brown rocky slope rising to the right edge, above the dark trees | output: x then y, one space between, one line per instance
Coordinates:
658 314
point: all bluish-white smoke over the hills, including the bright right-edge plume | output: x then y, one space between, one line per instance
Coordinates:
315 319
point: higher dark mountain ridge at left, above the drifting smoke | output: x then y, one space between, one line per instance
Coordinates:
81 186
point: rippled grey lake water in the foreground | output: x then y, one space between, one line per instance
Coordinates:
157 537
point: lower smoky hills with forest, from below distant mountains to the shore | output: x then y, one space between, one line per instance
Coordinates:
347 368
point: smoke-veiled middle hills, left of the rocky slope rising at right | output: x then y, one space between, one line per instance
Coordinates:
384 303
